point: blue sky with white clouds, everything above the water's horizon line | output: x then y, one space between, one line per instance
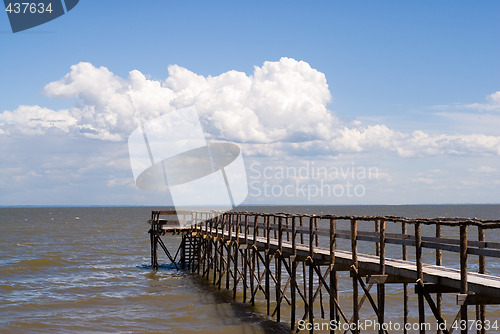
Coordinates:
412 93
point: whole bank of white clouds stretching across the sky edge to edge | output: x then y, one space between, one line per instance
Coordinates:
280 108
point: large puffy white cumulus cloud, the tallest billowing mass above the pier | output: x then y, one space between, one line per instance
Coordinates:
281 101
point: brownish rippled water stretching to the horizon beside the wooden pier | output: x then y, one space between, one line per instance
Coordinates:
86 270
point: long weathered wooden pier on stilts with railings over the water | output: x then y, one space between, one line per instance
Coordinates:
292 264
